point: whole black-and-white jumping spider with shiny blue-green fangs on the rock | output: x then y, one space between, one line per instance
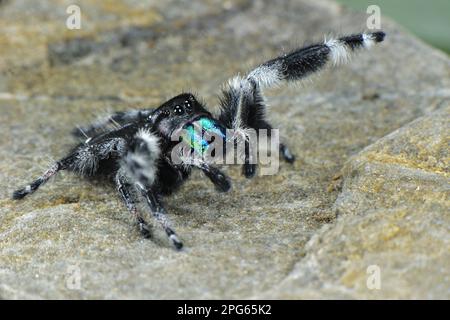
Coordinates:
136 152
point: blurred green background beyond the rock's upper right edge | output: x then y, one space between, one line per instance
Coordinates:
429 20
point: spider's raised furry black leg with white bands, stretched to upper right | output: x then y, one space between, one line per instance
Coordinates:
242 101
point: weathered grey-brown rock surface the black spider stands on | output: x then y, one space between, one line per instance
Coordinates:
357 196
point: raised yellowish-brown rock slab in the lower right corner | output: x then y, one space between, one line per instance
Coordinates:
399 189
